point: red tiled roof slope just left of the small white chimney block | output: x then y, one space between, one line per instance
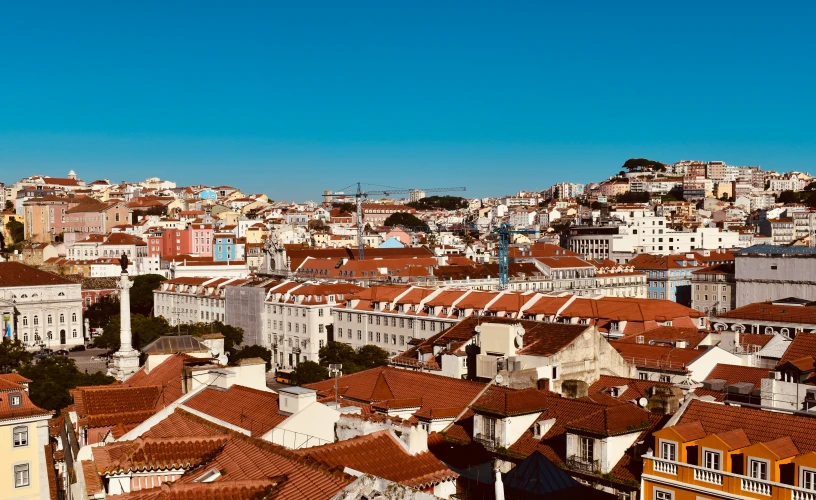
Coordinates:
250 409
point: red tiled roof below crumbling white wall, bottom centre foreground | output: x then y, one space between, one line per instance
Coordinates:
382 455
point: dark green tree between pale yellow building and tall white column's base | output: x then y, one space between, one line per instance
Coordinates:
53 378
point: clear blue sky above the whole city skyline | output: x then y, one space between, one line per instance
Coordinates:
500 96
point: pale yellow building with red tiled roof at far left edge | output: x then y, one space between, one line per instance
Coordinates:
24 440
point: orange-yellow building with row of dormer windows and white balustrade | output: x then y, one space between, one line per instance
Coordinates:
715 451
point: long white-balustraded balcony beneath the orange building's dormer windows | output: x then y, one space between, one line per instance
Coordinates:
722 481
